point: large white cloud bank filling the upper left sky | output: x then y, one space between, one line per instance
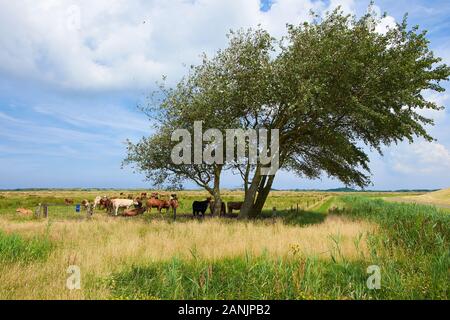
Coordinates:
115 44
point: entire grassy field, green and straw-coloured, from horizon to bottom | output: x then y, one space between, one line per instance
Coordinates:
320 251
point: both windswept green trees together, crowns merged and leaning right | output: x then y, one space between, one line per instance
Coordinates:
331 87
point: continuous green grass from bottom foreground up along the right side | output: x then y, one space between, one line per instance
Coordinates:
411 248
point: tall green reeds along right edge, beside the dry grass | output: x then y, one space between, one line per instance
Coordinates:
412 247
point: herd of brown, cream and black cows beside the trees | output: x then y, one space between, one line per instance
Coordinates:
134 206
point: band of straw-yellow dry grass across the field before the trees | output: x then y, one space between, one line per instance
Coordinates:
104 245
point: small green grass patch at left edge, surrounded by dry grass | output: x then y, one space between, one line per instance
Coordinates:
16 249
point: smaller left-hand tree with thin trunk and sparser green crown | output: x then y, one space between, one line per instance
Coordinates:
213 93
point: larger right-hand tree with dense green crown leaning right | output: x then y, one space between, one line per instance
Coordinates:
339 85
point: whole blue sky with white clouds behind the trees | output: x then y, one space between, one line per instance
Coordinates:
72 74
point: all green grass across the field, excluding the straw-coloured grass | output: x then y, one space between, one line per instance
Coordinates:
410 245
